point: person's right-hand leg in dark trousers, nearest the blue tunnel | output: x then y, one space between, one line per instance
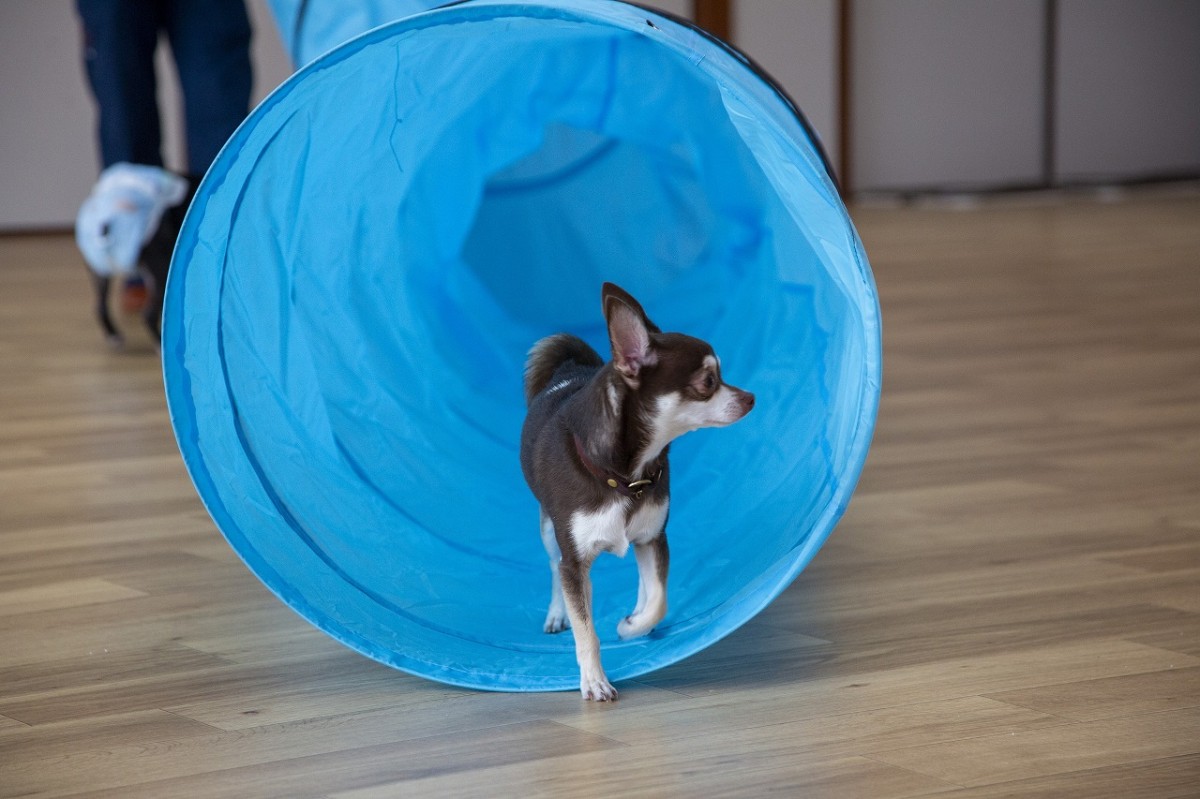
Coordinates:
211 41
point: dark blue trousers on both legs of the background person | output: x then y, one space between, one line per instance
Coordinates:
211 44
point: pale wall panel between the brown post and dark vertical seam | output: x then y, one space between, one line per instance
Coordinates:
947 94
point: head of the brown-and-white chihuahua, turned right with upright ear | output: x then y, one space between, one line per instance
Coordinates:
674 381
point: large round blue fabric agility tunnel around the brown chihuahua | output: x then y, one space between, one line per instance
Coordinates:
375 251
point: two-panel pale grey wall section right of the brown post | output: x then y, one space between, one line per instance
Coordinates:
951 94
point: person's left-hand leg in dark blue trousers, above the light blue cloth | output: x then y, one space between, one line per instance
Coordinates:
121 38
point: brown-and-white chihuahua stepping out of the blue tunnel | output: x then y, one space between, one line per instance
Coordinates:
595 454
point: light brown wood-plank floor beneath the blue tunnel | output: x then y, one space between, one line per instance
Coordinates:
1010 609
